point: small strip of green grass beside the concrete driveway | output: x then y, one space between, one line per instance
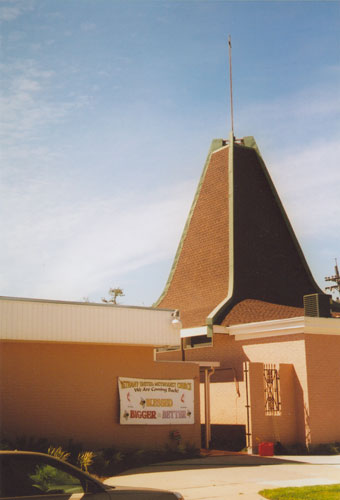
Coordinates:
325 492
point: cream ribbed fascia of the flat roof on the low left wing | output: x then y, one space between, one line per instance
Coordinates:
57 321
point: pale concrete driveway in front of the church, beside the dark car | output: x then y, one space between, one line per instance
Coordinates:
224 476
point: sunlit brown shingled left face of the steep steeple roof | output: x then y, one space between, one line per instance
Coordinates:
200 280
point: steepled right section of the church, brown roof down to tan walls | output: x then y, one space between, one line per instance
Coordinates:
247 300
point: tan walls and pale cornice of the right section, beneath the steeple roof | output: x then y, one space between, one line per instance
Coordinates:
301 405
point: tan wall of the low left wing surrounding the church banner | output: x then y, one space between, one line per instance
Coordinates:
62 391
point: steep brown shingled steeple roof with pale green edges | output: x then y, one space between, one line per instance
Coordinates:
237 246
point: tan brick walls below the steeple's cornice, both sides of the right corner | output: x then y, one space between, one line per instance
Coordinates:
310 370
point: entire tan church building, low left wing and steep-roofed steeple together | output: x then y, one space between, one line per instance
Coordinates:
258 333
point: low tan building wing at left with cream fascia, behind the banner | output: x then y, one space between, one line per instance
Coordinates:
59 368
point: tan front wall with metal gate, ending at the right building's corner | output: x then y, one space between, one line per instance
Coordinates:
287 352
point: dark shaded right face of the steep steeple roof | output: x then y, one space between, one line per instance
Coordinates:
267 262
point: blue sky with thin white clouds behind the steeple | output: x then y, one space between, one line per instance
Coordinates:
107 112
